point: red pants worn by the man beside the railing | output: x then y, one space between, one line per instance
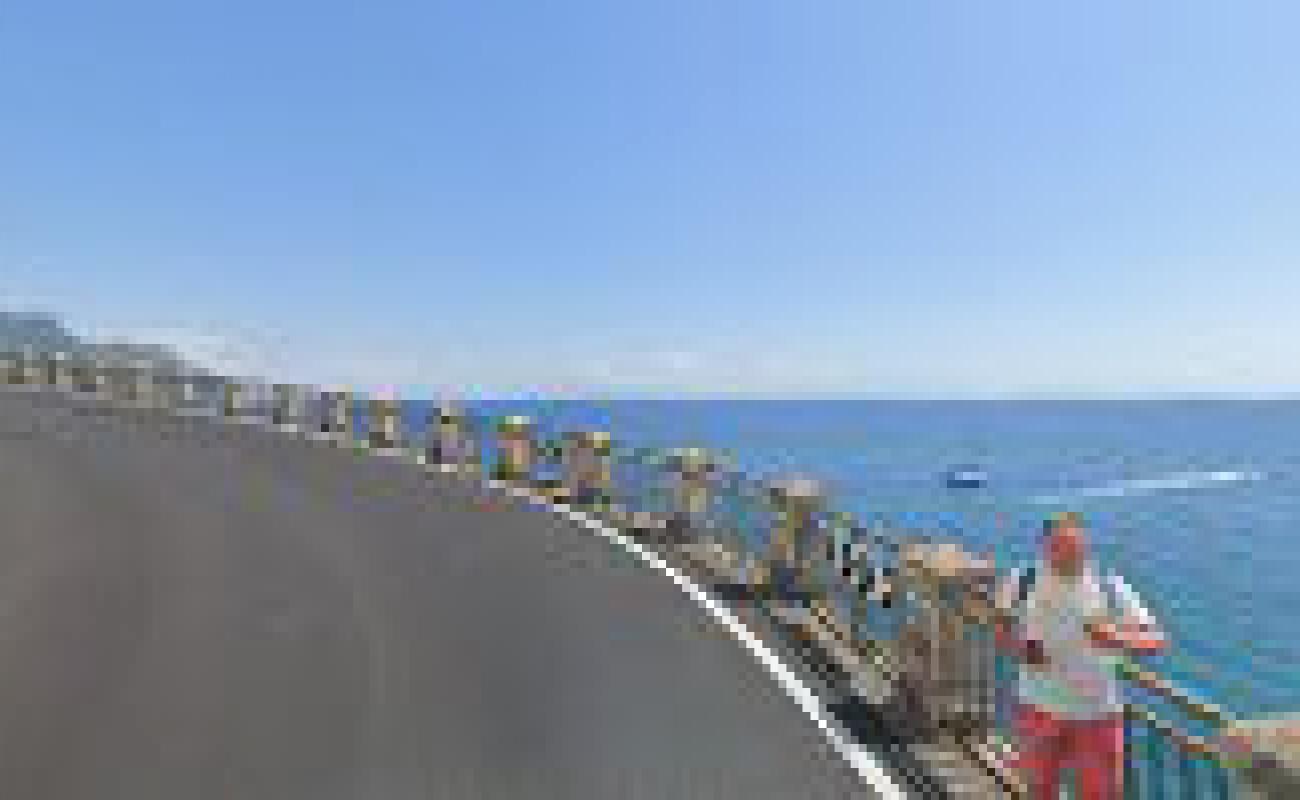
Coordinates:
1094 747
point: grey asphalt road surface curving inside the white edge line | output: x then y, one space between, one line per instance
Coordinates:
190 609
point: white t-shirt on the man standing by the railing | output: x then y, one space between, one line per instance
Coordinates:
1080 680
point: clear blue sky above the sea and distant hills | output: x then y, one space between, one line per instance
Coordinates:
928 198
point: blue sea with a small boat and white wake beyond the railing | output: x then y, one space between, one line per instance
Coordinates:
1198 503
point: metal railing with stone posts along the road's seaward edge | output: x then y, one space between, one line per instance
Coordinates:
853 574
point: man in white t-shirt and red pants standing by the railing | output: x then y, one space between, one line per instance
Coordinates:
1069 626
